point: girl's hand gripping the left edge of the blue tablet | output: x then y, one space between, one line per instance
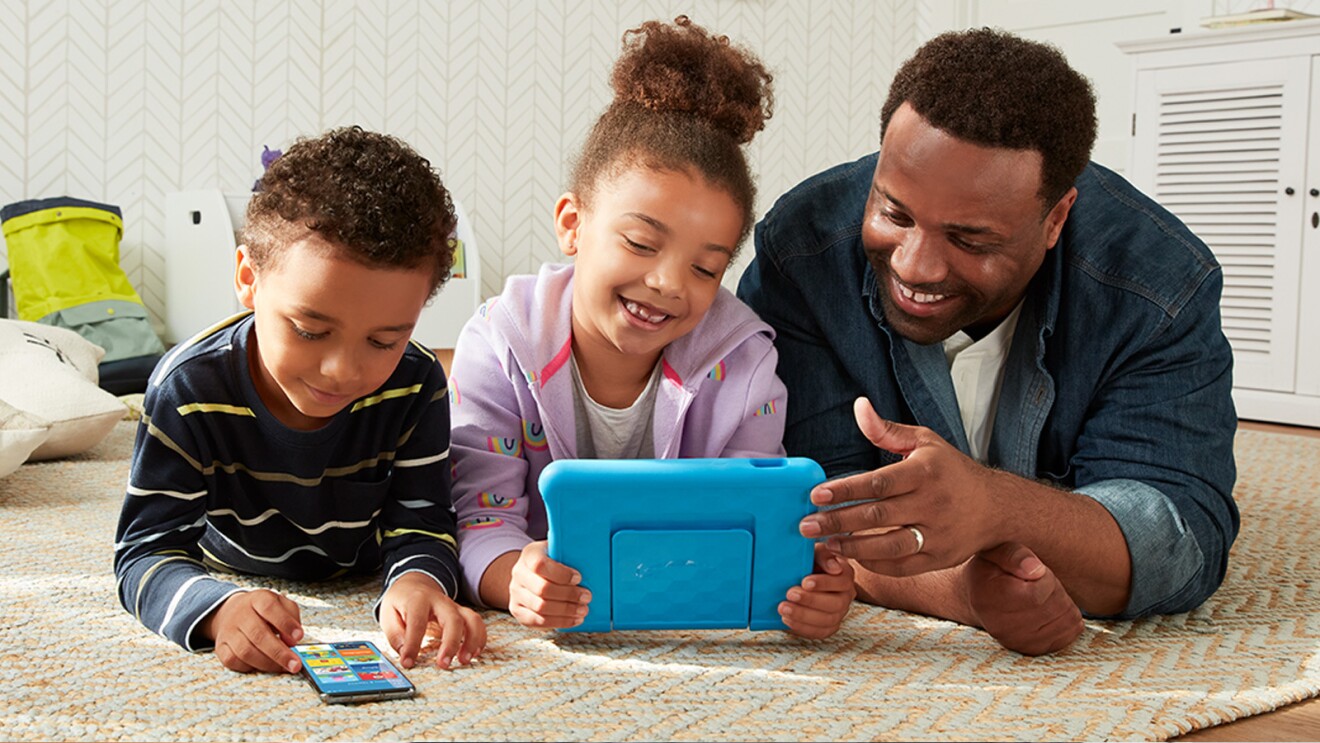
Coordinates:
544 593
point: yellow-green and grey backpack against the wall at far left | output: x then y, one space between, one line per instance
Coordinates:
64 262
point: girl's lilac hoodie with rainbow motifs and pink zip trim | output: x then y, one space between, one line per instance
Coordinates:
511 394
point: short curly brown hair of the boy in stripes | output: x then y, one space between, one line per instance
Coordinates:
370 195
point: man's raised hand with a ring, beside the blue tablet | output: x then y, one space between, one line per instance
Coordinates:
933 510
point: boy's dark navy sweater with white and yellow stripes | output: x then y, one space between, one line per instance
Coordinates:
218 484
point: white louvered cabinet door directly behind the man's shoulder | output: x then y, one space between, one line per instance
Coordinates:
1220 146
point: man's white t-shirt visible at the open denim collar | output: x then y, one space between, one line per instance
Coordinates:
977 371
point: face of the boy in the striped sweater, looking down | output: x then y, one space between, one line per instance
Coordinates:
329 331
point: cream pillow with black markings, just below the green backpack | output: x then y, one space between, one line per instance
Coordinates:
51 373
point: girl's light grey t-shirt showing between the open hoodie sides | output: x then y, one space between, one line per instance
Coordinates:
614 434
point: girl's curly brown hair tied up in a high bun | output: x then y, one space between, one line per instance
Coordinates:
683 98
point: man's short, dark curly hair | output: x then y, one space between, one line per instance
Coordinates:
995 89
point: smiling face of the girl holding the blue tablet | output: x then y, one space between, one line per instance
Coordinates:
650 253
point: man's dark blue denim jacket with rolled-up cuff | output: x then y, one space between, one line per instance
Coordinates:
1117 385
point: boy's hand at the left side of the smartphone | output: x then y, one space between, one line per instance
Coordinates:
254 631
